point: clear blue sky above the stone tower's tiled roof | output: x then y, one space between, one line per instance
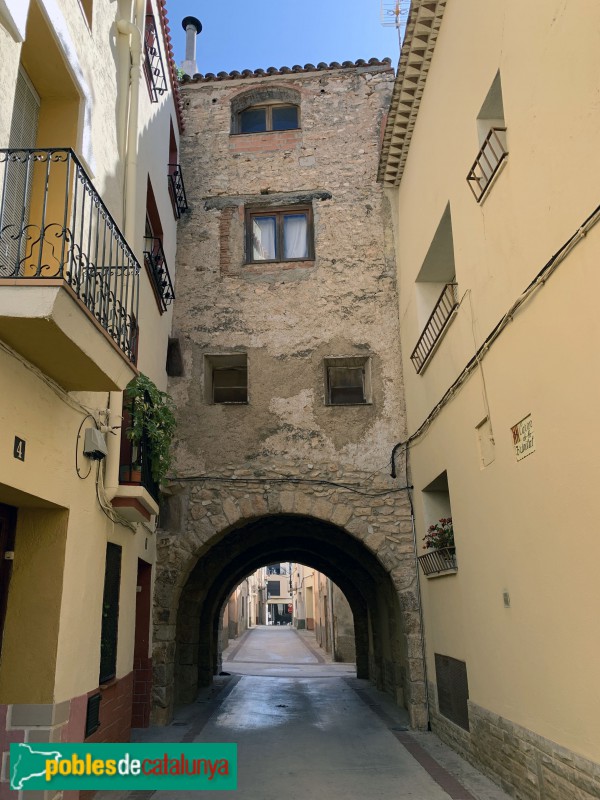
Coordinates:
276 33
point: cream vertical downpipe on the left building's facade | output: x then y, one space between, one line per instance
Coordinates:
128 138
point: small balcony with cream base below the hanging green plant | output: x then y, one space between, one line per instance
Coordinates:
137 496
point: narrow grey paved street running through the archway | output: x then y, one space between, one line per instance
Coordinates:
306 728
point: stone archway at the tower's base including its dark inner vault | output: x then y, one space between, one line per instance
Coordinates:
222 537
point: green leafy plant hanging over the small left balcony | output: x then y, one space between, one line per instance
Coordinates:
152 419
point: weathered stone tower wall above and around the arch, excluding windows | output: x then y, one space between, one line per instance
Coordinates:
288 317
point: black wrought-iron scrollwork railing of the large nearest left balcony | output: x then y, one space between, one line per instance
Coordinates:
55 226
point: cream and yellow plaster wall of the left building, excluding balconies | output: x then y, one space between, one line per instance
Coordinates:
80 101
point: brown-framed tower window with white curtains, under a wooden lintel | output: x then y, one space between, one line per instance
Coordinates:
279 235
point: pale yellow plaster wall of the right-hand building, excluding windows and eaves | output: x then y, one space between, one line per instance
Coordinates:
524 527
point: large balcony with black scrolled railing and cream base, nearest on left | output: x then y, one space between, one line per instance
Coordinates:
69 283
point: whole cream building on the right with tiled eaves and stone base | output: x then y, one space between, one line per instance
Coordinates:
491 160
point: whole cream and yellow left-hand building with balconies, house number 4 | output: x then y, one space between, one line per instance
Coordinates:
89 125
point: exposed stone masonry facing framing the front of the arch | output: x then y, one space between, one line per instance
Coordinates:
205 510
